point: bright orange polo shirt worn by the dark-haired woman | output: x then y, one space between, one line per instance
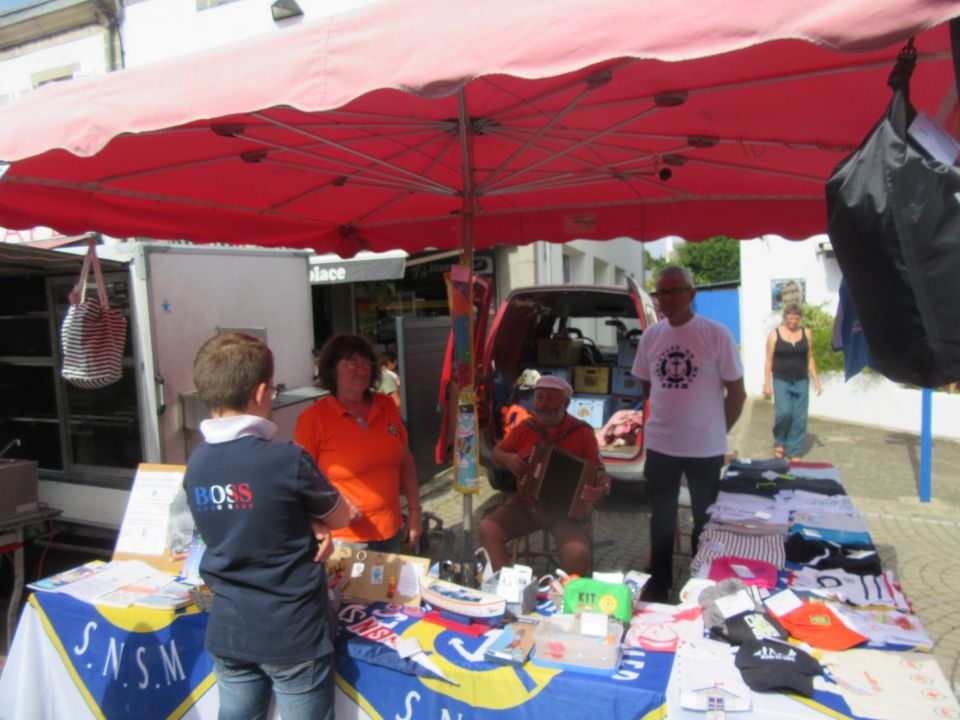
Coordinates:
363 463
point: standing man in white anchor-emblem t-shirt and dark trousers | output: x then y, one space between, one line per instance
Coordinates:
691 372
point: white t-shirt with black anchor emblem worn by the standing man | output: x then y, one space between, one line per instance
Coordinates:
687 367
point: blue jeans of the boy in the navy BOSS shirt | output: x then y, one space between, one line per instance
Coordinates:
304 690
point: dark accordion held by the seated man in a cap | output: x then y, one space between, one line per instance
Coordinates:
556 479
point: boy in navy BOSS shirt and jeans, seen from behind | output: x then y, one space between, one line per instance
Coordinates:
264 510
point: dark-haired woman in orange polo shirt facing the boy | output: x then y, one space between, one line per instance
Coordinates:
358 439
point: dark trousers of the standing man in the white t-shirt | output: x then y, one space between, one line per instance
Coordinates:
663 473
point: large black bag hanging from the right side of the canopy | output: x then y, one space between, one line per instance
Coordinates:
894 224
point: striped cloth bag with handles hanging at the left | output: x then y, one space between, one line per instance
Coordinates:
93 334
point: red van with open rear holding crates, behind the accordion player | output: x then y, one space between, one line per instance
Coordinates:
586 334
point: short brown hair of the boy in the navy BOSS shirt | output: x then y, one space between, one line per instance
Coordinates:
229 367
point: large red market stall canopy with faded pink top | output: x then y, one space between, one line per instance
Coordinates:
408 124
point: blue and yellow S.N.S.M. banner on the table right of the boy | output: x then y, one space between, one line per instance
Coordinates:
471 687
